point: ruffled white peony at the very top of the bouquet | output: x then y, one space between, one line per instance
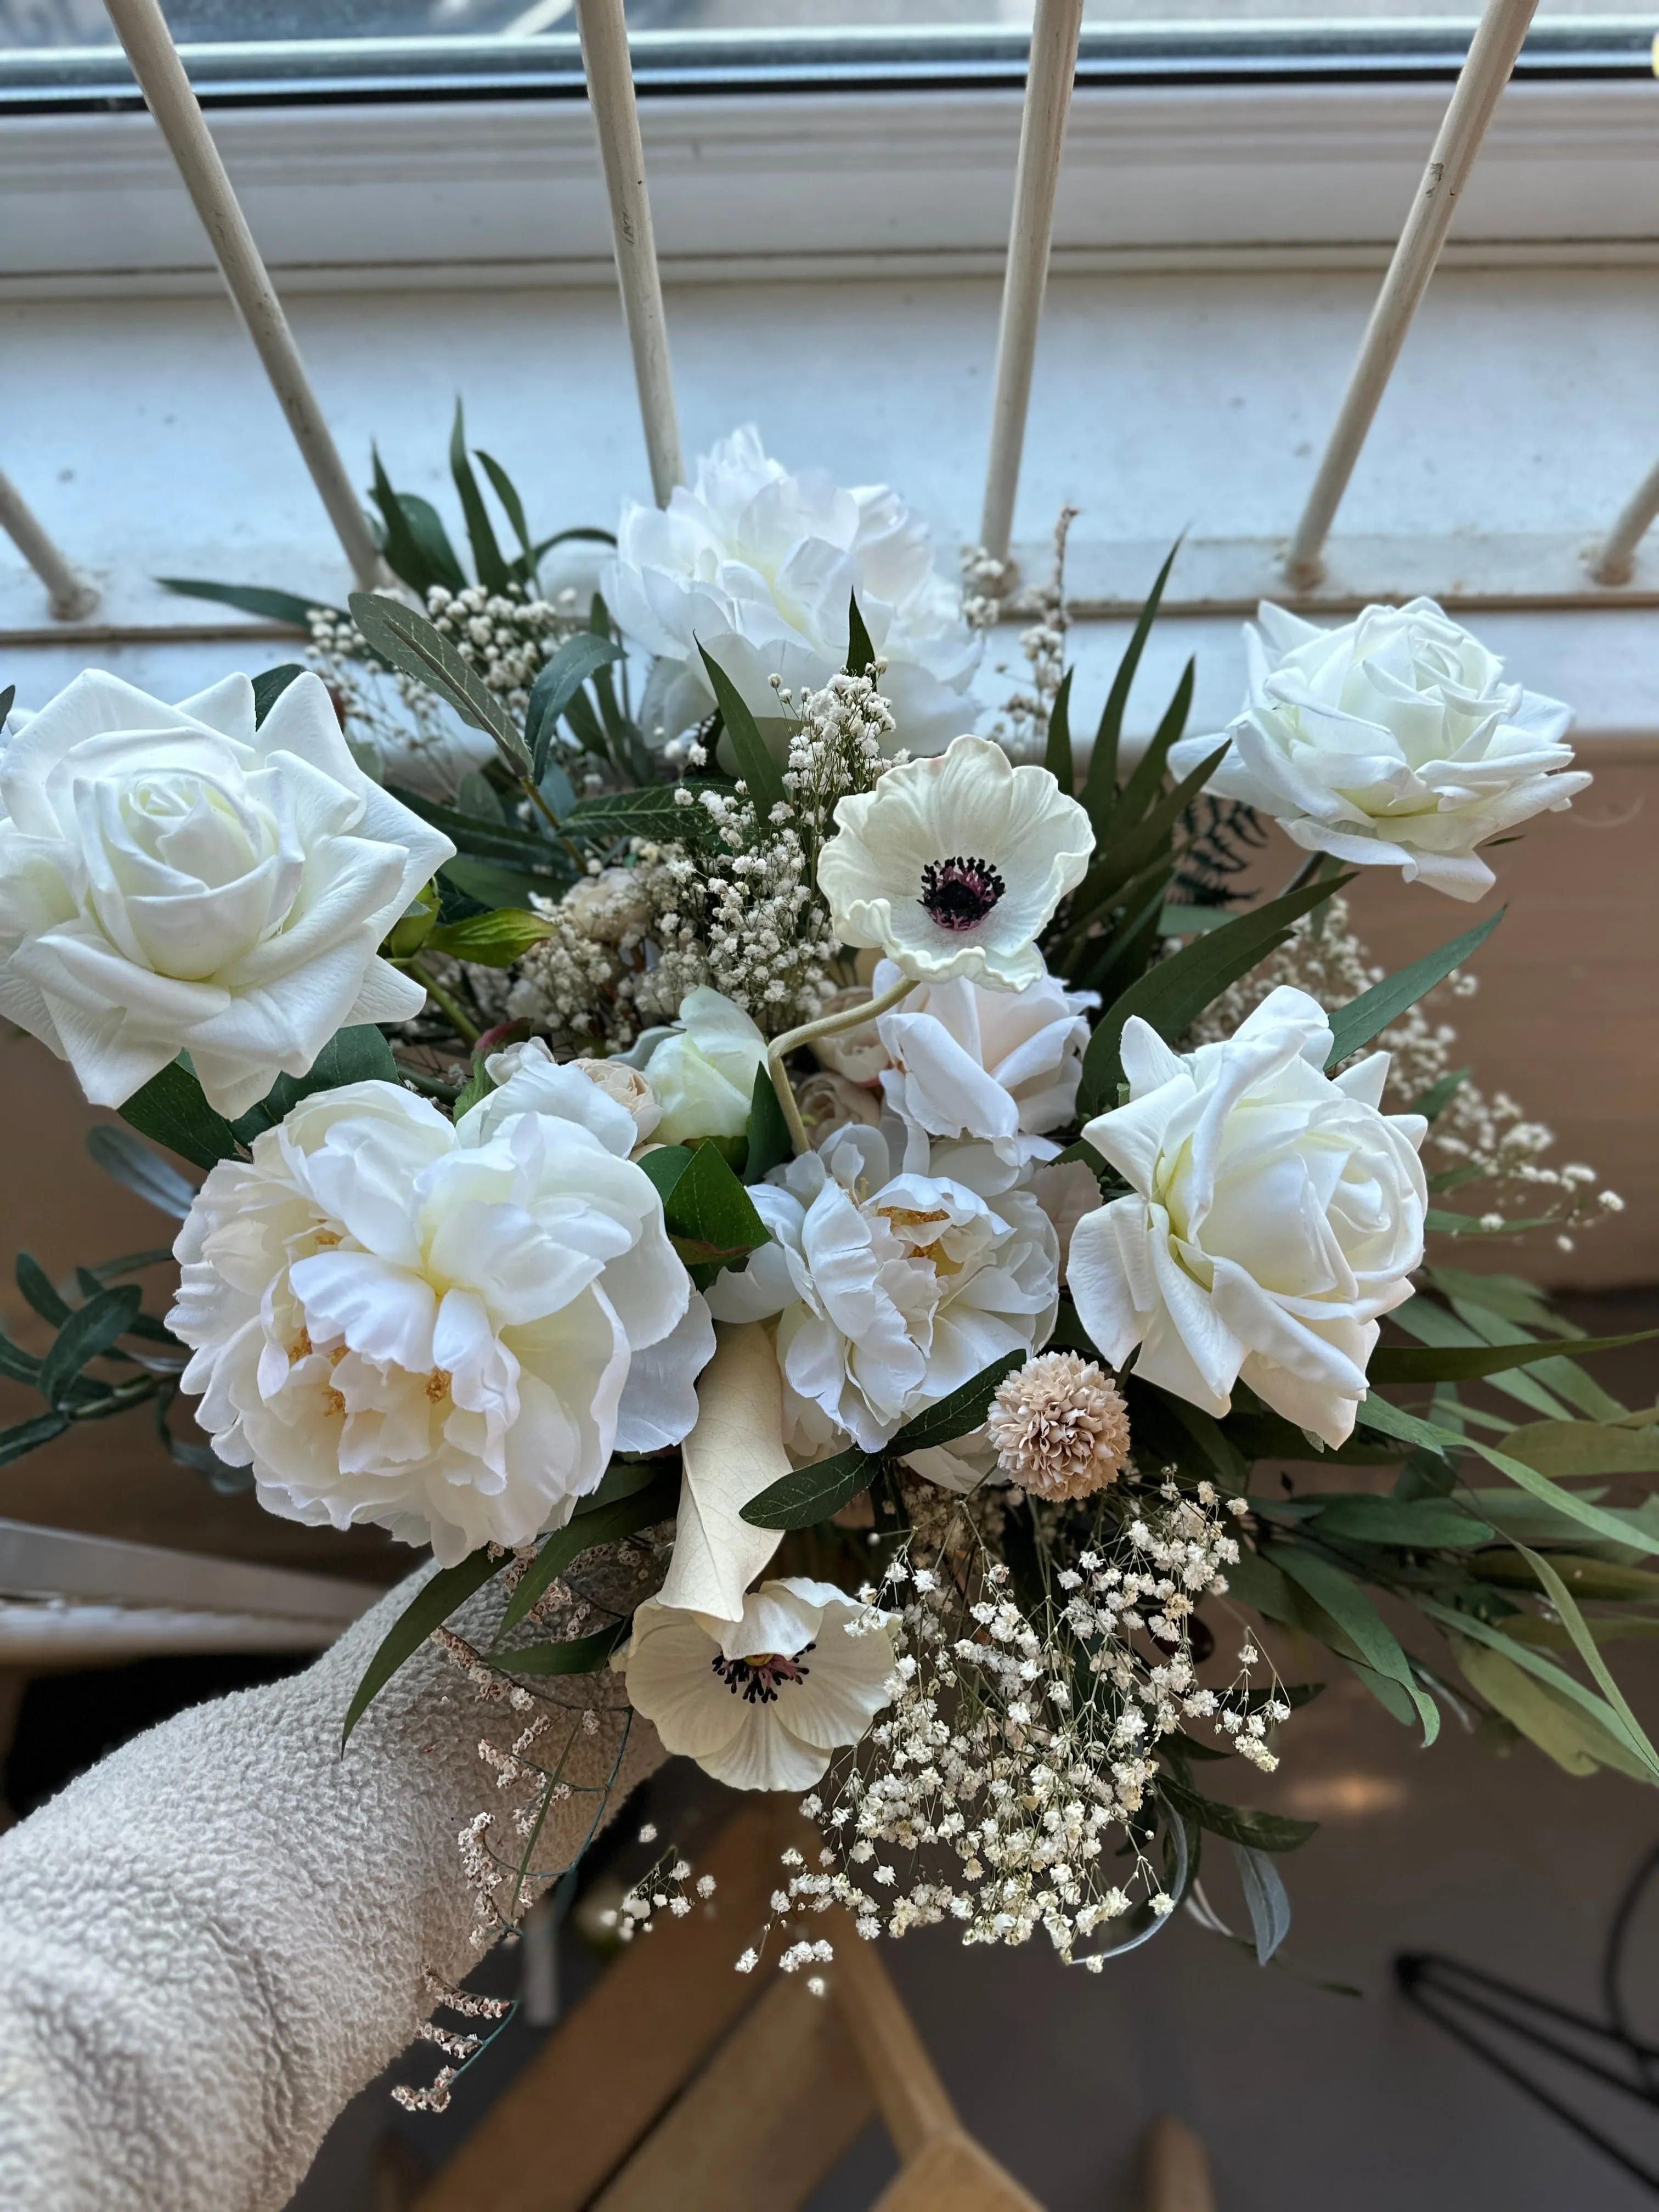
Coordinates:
760 567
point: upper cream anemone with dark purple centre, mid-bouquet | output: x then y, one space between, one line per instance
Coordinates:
954 866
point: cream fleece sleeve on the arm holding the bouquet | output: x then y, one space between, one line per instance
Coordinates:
218 1937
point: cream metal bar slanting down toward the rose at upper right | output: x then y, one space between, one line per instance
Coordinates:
1483 79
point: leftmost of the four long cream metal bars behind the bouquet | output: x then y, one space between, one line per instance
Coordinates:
167 92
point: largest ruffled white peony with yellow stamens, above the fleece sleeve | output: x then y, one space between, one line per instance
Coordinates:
444 1331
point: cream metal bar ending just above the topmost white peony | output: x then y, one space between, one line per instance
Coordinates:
605 59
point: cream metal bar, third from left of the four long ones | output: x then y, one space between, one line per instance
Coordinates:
1043 136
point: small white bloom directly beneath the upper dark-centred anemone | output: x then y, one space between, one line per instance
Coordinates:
992 1065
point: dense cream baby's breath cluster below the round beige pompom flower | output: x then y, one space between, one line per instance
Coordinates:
1023 1733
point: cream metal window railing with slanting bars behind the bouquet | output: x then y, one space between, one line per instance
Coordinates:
1556 574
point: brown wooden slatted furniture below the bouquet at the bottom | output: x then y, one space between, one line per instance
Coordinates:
685 2087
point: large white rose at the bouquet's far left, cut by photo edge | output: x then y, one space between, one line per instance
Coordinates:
174 877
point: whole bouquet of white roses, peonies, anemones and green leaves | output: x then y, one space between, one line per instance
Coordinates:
866 1231
